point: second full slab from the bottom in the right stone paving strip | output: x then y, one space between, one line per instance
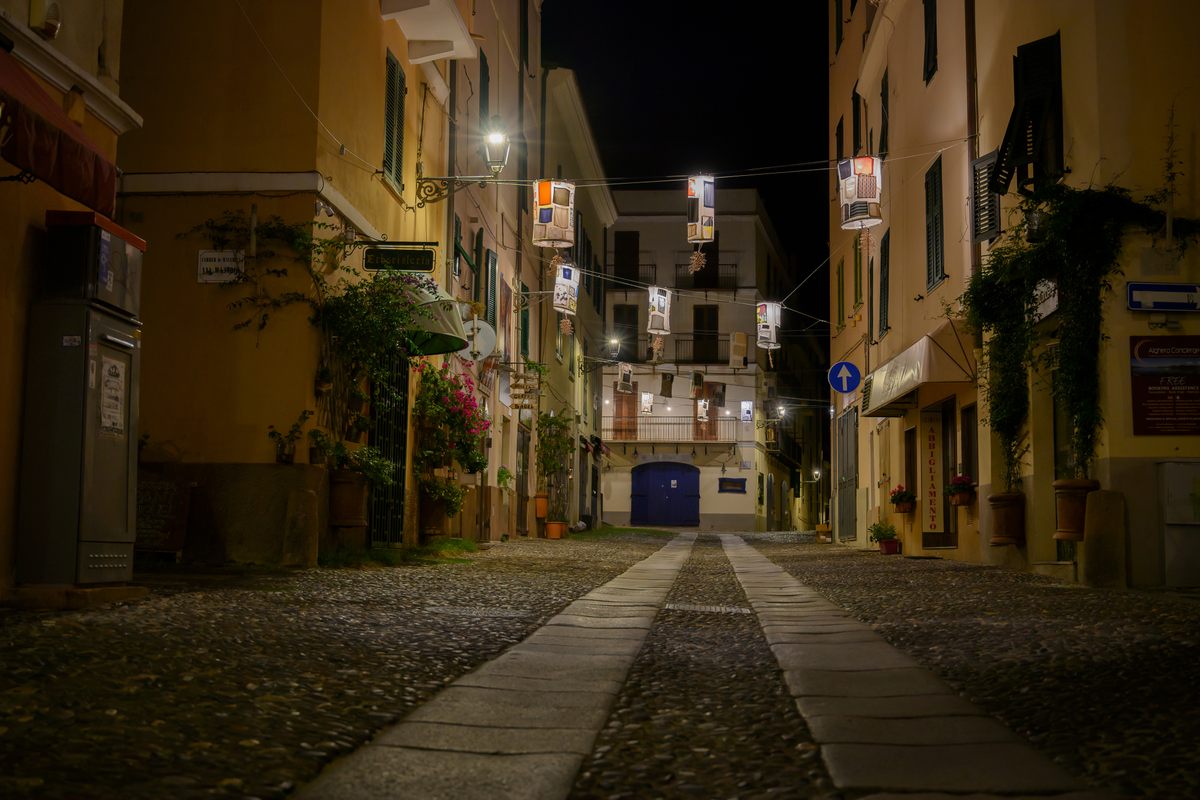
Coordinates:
925 731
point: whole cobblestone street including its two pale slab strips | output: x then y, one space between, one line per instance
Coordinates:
251 685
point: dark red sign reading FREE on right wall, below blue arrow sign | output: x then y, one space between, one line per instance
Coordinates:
1165 376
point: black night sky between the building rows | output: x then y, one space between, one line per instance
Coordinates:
679 88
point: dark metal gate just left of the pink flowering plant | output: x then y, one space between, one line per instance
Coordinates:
391 436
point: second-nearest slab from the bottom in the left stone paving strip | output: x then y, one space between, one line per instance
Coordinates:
485 739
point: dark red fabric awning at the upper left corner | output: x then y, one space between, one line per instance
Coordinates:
38 137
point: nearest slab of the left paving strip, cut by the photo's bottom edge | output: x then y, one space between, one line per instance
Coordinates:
381 772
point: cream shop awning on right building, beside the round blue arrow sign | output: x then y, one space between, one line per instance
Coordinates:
943 358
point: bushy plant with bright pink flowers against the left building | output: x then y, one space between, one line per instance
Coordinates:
451 430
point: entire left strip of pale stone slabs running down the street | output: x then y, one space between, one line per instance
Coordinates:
520 725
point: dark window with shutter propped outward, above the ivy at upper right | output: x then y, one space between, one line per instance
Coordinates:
1033 147
